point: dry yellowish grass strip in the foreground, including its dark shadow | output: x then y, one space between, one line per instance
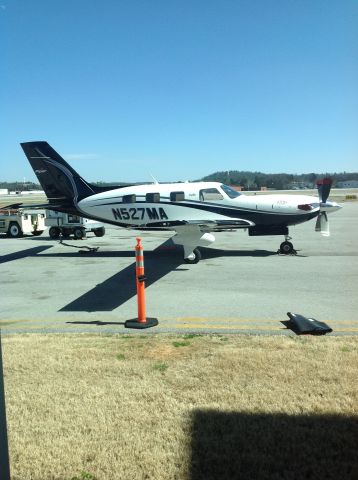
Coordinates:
144 407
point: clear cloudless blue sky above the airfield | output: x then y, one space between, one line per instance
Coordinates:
180 88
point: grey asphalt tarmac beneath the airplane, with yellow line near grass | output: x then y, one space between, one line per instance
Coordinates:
241 285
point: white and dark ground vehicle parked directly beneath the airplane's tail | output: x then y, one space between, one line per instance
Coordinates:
66 224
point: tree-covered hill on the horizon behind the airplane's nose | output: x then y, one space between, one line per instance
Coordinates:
278 181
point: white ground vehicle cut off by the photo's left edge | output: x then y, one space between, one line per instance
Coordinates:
18 222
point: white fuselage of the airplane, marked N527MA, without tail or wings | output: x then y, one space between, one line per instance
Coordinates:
164 205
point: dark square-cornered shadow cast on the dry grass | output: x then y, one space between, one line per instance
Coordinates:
263 446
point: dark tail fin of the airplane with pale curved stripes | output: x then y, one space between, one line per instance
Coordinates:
62 184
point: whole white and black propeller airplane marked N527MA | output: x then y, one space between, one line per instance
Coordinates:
194 210
